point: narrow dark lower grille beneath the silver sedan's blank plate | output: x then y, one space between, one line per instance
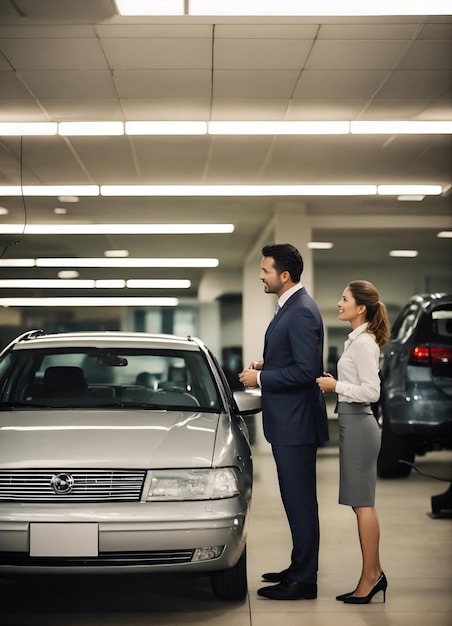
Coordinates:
105 559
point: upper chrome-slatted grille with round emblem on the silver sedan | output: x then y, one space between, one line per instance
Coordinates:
71 485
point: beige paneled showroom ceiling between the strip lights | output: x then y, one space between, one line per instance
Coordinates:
78 60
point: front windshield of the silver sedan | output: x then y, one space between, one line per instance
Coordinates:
86 377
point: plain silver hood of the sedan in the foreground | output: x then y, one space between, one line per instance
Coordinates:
106 438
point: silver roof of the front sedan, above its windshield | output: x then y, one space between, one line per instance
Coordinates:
105 339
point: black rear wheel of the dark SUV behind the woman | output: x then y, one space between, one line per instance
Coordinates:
394 449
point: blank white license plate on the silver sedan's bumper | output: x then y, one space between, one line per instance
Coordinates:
64 540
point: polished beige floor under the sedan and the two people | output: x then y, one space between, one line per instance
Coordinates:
416 555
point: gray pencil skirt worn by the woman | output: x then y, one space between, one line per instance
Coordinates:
359 445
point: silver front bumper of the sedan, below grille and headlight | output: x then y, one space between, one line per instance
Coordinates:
151 537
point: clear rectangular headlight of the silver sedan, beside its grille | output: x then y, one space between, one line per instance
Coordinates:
193 484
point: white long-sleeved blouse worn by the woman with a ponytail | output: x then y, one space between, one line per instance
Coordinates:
358 379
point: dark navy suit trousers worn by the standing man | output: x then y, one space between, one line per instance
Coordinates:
296 467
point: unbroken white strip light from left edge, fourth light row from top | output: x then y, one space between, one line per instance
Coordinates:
117 229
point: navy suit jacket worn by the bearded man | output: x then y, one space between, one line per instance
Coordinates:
293 407
